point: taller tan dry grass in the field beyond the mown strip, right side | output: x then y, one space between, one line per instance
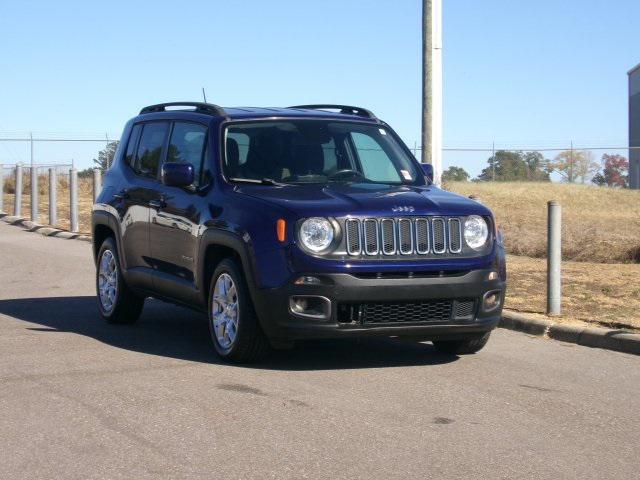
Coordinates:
599 224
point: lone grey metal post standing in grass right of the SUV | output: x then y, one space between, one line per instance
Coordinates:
554 258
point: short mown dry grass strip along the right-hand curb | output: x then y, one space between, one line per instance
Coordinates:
604 294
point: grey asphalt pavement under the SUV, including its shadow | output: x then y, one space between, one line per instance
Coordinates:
82 399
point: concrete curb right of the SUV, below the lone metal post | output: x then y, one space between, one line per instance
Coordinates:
596 337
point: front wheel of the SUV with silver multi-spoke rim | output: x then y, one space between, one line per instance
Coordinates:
233 323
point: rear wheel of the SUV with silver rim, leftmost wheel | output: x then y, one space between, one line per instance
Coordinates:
117 303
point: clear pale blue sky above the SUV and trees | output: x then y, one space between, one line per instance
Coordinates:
518 73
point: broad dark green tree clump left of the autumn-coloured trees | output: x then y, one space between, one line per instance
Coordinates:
506 166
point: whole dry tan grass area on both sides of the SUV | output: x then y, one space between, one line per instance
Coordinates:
601 240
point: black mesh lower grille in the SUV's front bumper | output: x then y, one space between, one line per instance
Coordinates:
432 311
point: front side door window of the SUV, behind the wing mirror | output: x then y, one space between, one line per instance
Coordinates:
187 146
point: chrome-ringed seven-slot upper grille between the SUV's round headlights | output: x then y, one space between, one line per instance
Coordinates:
403 236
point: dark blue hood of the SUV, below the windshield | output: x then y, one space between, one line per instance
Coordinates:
341 199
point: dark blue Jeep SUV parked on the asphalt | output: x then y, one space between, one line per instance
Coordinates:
313 221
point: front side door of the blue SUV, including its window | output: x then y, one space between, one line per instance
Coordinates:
175 220
